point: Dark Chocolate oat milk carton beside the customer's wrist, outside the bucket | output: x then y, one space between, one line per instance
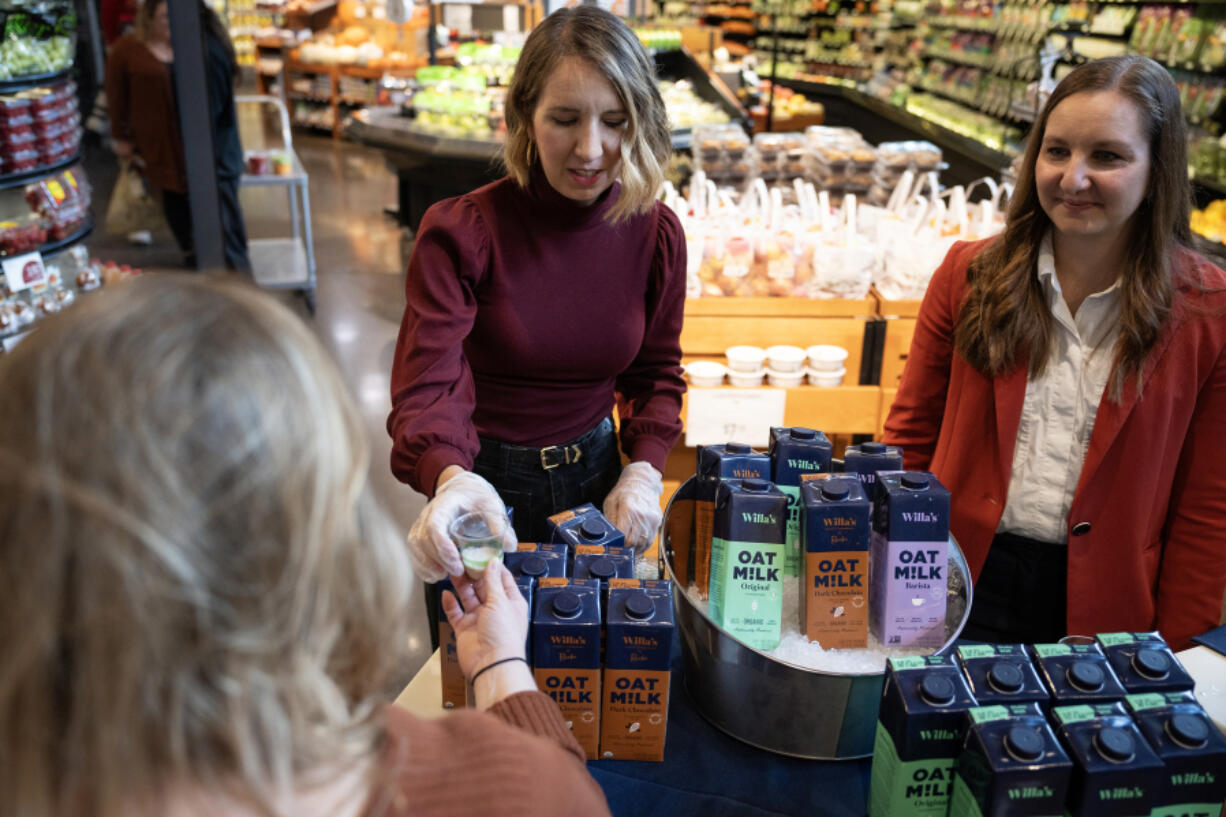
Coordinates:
567 653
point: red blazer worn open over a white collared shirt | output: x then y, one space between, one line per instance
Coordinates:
1154 485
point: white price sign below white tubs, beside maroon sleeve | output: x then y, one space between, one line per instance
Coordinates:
742 415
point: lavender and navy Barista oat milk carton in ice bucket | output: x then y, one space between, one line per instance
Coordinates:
909 560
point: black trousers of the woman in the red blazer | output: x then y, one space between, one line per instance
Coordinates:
1022 594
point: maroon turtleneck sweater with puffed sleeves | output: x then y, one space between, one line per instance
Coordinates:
525 315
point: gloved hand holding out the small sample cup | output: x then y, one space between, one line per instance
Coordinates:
430 545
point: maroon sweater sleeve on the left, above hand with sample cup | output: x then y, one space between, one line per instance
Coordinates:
432 387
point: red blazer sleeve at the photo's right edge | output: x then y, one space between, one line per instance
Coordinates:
1194 572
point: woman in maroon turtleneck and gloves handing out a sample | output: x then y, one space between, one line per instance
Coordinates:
538 302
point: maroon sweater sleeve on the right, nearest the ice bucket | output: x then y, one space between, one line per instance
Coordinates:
650 389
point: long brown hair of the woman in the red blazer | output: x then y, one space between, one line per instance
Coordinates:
1006 317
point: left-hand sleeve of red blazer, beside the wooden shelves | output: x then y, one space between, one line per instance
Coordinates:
915 416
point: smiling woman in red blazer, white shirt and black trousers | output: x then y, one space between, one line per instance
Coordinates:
1122 462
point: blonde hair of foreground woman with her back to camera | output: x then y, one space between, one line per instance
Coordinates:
198 586
